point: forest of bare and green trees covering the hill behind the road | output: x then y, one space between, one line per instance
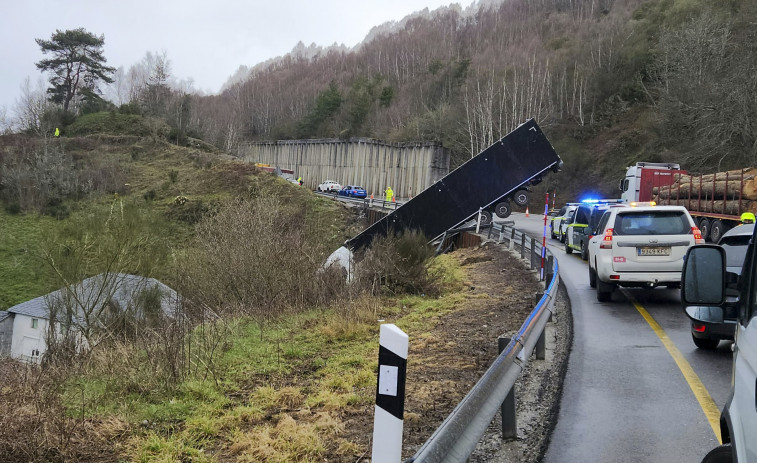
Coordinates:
611 82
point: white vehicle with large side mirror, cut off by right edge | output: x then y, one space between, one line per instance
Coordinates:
705 280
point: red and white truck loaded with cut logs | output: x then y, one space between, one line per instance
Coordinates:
715 201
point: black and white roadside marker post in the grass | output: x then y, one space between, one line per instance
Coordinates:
390 395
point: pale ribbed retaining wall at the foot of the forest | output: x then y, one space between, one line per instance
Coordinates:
408 168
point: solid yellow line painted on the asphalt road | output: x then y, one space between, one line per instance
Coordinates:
708 405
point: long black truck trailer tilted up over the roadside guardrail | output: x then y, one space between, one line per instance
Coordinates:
517 158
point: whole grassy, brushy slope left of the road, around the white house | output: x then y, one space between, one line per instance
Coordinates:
272 358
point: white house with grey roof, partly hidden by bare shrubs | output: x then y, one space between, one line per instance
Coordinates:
31 319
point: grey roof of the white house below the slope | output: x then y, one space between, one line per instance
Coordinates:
118 287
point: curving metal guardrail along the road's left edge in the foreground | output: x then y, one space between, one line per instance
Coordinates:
456 438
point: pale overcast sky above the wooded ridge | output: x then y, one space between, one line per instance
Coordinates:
204 40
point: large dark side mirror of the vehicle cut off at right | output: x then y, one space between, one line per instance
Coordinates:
703 276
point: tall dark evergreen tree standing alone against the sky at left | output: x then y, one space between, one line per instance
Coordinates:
77 63
